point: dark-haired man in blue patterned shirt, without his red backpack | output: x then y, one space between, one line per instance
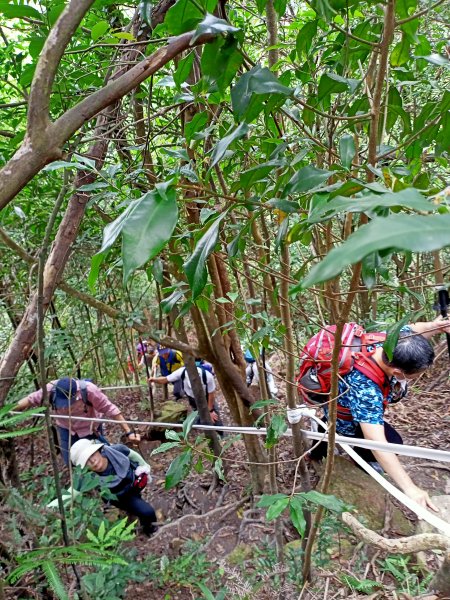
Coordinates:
362 401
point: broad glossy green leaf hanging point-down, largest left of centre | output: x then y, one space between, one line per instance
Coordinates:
148 228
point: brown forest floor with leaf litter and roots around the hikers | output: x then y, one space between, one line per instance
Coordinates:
213 517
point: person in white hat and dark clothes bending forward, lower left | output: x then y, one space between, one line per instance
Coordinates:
123 471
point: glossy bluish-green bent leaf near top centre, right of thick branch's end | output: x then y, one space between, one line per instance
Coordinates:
253 89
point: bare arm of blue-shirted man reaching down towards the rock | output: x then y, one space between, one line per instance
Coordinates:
393 467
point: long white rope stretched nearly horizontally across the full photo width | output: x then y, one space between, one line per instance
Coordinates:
405 450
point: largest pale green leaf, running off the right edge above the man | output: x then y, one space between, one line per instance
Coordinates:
400 232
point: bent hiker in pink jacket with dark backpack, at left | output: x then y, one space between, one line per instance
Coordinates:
77 398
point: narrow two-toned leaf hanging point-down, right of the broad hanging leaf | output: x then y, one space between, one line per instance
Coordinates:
195 266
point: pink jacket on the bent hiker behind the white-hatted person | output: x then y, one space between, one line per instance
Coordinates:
101 407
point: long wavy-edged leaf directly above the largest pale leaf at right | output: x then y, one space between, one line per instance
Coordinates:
409 198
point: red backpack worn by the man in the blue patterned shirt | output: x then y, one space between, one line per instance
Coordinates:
314 377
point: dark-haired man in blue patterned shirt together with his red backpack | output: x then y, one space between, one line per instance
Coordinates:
368 382
